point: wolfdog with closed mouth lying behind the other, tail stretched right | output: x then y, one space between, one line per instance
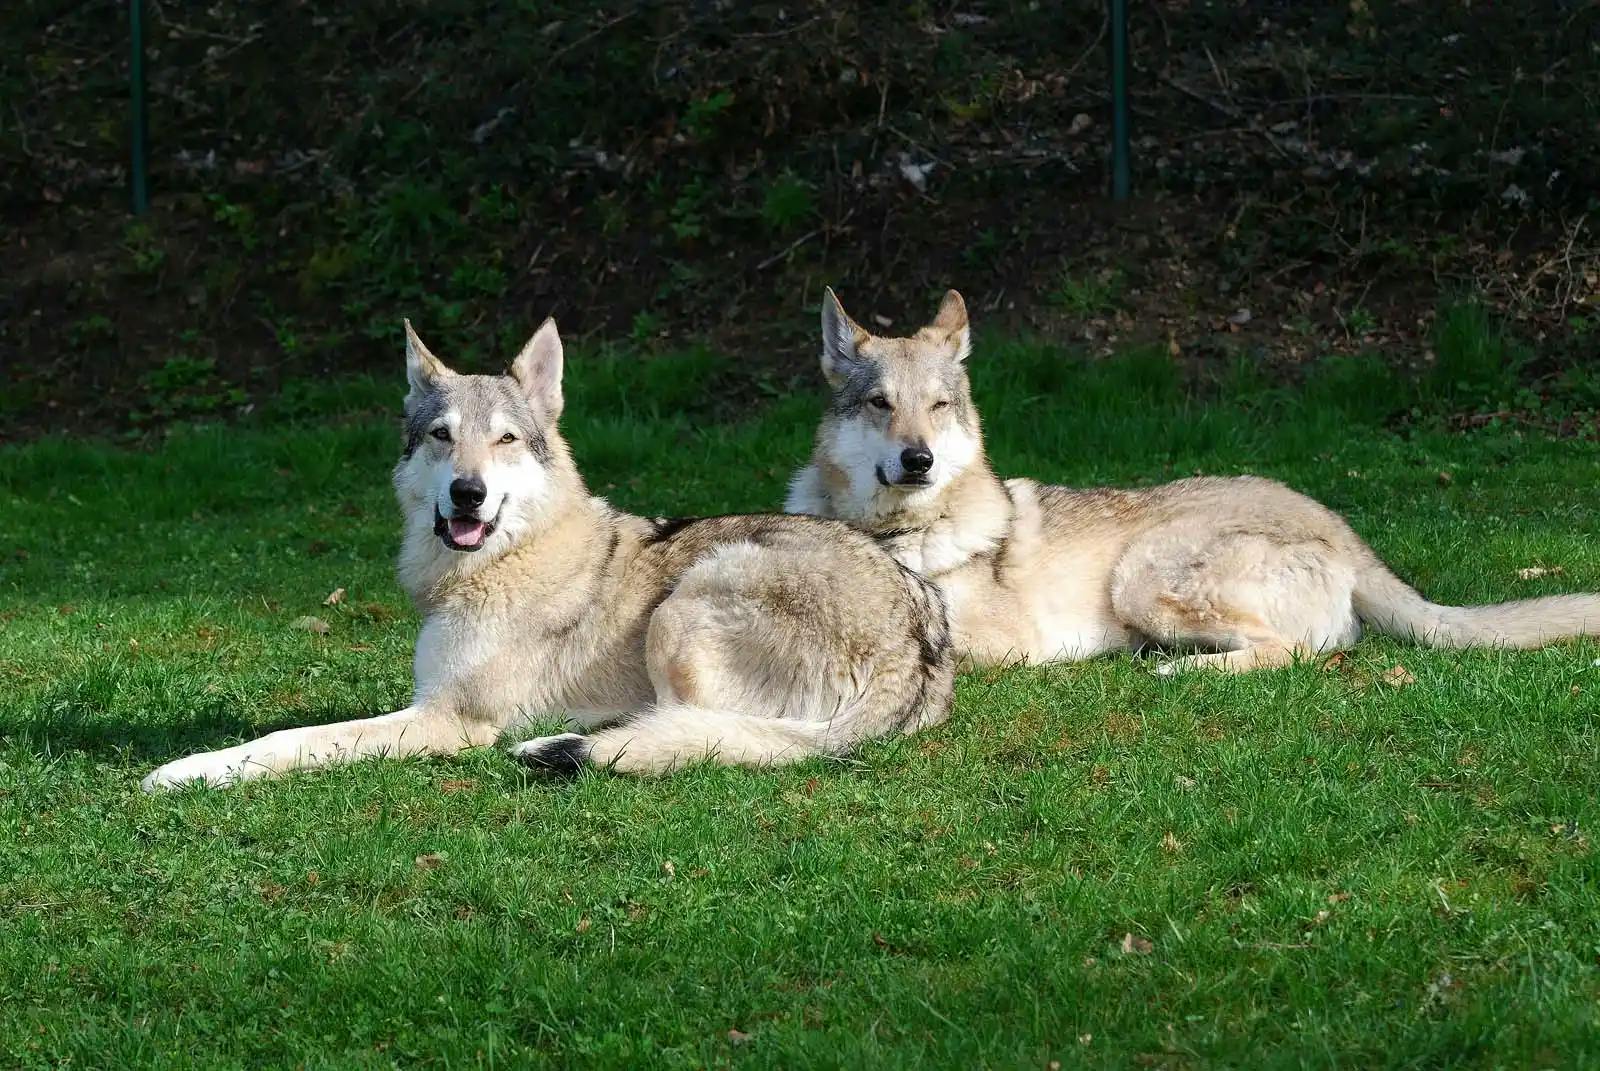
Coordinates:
1244 571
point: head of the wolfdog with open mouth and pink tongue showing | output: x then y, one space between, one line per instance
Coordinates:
482 459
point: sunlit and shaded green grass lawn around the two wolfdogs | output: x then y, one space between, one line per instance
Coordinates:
1330 872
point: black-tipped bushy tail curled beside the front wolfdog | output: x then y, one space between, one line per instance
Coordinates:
673 736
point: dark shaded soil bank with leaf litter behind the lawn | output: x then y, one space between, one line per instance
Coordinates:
1311 178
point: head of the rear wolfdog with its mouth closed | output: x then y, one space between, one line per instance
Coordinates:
902 422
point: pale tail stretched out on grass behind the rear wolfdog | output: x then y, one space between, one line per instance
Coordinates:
1391 606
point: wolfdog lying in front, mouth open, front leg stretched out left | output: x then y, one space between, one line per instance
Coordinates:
748 640
